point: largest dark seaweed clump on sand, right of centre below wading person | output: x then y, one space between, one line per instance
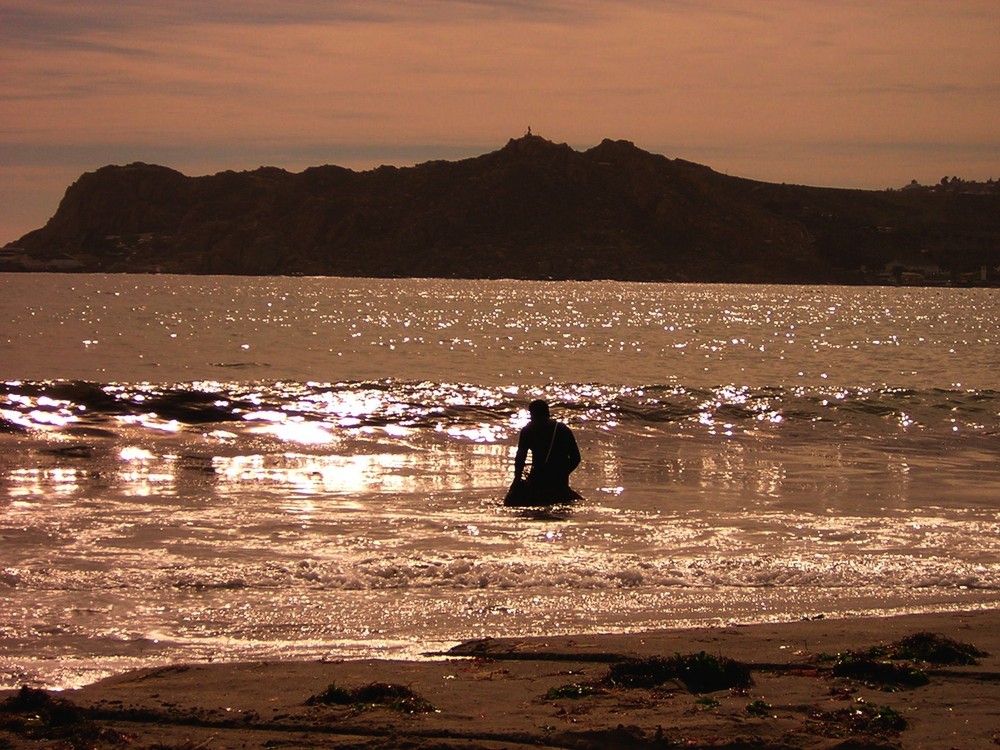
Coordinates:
699 673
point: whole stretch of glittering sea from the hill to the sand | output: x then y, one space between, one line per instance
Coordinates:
223 468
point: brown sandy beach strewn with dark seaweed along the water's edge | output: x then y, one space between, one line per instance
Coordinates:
787 689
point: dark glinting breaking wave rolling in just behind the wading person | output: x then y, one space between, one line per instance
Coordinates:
79 406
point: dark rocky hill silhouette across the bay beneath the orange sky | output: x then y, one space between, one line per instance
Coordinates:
534 209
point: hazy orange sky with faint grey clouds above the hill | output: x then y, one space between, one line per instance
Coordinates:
849 93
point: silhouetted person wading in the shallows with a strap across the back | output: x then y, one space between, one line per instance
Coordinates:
554 456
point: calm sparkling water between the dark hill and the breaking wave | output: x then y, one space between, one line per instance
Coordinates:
494 332
